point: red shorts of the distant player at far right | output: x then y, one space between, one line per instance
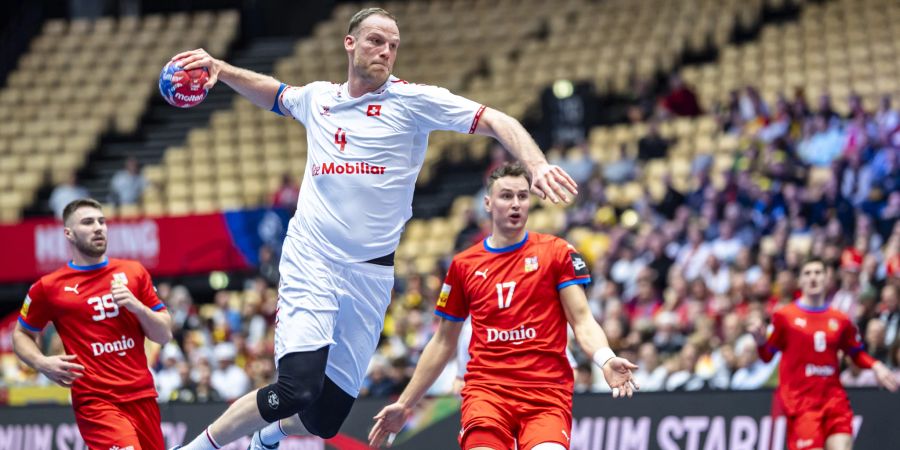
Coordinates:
810 429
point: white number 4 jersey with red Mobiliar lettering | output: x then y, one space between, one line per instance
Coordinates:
364 155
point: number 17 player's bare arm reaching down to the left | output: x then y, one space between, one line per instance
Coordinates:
438 352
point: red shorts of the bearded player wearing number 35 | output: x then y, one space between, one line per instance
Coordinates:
130 425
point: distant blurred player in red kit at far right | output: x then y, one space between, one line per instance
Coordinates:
810 334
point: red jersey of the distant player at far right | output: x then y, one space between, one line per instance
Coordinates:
810 339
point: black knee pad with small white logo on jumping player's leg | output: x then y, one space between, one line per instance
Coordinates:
300 378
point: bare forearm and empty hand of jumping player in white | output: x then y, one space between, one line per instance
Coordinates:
548 181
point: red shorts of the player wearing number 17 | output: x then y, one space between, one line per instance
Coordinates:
498 417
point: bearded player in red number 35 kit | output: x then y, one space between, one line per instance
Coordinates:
102 309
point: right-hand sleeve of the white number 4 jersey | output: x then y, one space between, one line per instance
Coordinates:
436 108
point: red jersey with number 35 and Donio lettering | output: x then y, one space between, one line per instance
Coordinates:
108 340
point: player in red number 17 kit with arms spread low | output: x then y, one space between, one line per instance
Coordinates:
521 289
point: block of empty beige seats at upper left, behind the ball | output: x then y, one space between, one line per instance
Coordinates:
81 79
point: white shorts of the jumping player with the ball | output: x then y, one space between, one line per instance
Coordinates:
324 302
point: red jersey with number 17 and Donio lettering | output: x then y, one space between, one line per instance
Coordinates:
518 323
